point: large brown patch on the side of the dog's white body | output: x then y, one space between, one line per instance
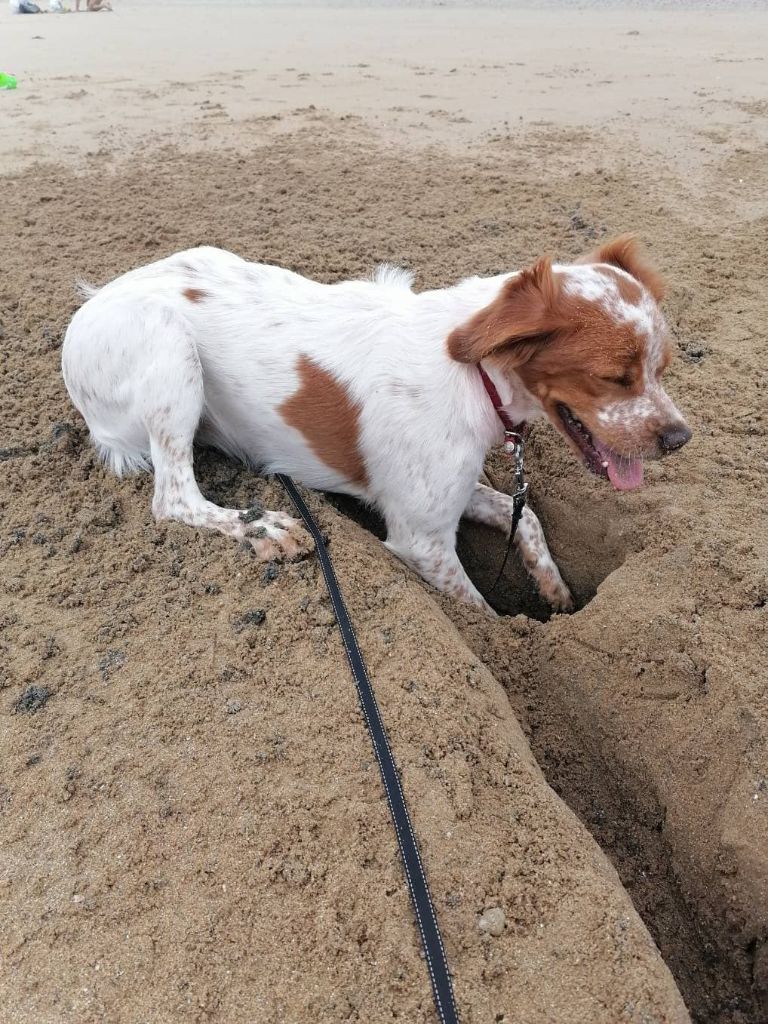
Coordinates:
324 413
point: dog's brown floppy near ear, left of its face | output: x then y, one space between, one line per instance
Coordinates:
525 314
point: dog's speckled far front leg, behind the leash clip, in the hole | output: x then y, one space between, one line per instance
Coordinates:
495 509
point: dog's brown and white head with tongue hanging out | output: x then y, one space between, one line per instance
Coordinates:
589 343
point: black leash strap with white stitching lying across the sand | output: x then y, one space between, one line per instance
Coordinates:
421 899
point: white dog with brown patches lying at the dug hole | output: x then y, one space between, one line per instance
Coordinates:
369 389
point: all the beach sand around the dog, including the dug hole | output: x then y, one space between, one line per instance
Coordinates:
193 825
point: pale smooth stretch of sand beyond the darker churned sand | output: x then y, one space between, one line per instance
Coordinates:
677 82
